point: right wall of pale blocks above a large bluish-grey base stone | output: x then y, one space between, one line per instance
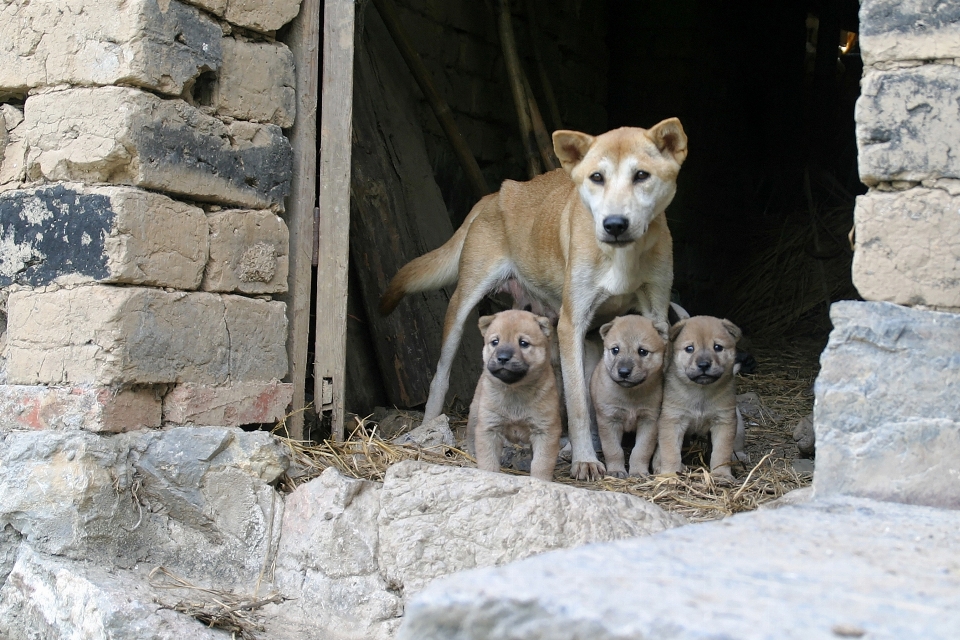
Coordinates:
886 406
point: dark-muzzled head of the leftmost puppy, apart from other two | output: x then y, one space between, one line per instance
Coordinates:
515 344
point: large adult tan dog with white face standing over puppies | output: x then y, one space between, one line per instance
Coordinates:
590 241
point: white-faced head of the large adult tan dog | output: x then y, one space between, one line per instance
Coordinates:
625 177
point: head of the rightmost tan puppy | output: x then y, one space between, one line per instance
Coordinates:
704 349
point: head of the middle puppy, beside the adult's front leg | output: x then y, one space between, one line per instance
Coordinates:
632 350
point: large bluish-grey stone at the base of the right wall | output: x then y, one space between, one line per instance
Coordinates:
887 398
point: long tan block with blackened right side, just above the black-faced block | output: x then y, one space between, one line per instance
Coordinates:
120 135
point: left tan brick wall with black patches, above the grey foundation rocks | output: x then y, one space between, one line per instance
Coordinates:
143 171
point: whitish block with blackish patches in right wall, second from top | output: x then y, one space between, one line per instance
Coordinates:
907 124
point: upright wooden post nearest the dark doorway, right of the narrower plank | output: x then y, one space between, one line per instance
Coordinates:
336 114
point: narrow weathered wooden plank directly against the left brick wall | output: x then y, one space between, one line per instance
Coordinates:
304 42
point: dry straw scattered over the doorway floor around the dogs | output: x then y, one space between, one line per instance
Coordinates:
786 373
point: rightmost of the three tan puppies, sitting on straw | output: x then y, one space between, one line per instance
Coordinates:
699 392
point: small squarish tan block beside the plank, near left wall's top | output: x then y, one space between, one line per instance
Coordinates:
256 82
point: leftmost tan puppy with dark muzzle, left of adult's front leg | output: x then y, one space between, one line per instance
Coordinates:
517 396
